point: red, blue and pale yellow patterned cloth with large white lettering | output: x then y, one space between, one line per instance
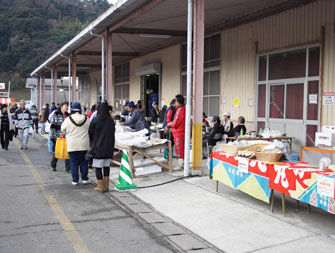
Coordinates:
297 180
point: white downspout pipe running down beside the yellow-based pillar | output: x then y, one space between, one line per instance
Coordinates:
189 89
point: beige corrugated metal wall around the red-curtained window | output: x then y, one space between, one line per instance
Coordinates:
288 29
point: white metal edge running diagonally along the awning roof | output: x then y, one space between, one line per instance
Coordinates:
121 4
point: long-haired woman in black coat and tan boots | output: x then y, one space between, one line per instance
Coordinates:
102 138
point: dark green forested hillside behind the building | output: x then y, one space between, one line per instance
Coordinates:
32 30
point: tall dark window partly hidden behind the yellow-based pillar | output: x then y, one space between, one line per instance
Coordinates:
211 92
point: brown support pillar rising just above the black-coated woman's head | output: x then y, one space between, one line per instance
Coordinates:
109 70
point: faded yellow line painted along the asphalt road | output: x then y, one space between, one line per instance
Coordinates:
70 231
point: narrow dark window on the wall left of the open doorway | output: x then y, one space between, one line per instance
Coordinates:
121 86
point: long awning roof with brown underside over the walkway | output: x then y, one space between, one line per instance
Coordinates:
158 18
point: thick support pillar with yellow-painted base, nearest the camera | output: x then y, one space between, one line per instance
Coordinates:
198 82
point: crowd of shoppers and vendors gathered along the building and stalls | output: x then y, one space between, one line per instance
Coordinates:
90 136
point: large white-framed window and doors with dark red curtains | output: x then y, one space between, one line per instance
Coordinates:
288 92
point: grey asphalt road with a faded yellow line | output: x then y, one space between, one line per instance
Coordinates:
40 211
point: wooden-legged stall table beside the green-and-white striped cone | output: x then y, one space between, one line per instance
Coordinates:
142 150
